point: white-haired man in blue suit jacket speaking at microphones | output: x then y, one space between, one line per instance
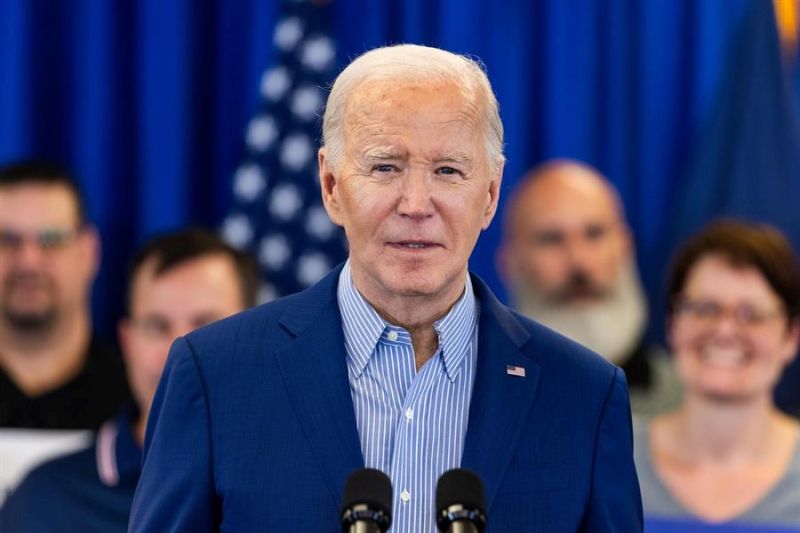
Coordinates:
398 360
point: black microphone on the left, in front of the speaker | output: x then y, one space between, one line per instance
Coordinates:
367 502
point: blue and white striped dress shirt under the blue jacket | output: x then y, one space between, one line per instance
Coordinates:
411 424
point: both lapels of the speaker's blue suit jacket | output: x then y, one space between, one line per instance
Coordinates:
314 370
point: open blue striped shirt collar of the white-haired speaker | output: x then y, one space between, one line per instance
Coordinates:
363 327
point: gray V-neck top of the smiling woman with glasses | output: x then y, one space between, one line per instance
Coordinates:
780 506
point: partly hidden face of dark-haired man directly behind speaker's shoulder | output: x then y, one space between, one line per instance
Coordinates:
171 304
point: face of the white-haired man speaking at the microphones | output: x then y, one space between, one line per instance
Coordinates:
413 191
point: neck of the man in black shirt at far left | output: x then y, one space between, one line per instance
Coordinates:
41 361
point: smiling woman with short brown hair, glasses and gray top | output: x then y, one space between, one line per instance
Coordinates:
727 455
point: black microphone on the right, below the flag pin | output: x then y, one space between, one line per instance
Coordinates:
460 503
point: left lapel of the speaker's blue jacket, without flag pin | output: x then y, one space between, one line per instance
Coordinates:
314 370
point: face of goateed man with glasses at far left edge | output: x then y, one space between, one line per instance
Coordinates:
47 260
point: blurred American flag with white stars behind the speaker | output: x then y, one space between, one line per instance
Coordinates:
277 212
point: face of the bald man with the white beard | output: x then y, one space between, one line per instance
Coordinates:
569 244
